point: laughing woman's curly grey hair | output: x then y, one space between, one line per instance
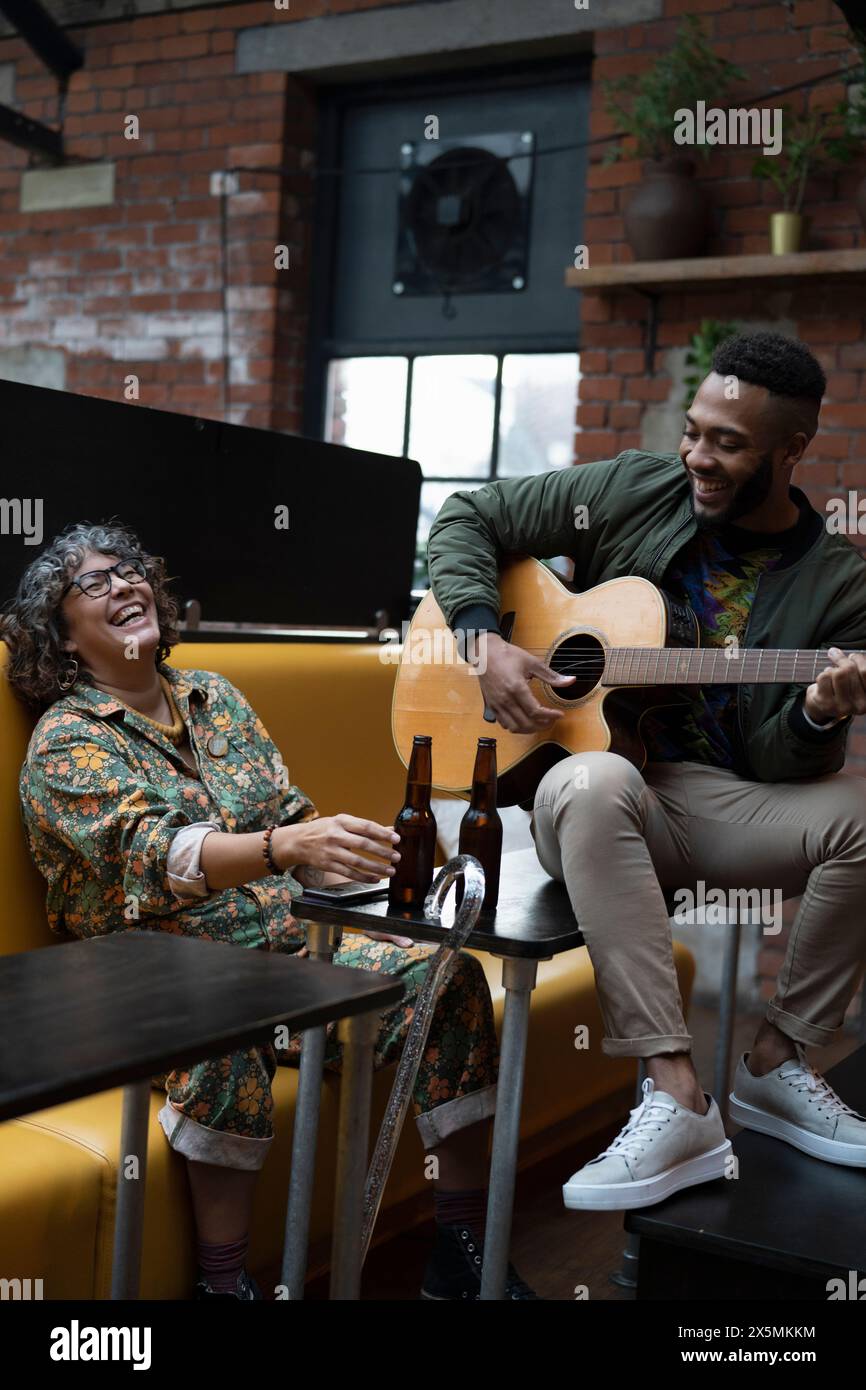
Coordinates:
34 628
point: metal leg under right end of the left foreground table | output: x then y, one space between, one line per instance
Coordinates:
358 1038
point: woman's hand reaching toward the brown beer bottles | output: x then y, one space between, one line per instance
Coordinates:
340 844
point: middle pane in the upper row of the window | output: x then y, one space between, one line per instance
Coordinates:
451 427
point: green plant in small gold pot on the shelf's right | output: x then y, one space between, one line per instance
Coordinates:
808 147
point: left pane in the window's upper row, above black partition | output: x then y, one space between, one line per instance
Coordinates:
366 404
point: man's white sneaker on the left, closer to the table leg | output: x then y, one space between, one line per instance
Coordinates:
662 1149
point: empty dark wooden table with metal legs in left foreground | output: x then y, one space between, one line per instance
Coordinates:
91 1015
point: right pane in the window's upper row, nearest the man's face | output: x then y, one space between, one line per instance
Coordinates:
537 415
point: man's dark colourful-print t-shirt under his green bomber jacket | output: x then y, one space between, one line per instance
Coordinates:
717 573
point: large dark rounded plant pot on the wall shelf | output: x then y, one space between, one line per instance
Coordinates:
669 215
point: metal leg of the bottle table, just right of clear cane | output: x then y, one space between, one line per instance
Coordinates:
519 981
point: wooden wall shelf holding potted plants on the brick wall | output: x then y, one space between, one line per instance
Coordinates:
711 270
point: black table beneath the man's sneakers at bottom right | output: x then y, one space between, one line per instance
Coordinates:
785 1227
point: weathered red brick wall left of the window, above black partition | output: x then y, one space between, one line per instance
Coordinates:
137 287
